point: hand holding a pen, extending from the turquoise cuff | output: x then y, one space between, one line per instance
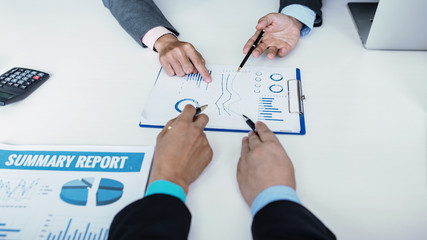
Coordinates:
182 149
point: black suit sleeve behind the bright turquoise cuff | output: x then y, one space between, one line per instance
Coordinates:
157 216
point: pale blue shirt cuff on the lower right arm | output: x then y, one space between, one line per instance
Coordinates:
271 194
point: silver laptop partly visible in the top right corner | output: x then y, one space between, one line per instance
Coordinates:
391 24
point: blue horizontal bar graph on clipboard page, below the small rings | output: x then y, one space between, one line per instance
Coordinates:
269 109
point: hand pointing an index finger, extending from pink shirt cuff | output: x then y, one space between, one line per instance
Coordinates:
180 58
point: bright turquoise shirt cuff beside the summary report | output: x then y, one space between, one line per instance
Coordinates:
166 187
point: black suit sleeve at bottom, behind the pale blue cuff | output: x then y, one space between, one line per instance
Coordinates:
288 220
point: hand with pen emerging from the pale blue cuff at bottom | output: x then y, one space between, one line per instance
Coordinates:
263 163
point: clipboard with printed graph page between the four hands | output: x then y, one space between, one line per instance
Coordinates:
261 93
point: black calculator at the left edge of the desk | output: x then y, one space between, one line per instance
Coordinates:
18 83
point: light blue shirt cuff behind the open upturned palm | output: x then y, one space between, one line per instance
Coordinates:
302 14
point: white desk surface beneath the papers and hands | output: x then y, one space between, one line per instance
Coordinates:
361 167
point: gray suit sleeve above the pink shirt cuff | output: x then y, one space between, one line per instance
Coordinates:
137 17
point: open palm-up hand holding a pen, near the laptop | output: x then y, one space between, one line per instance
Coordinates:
281 35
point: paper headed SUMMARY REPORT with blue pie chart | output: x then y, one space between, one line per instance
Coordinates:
68 192
